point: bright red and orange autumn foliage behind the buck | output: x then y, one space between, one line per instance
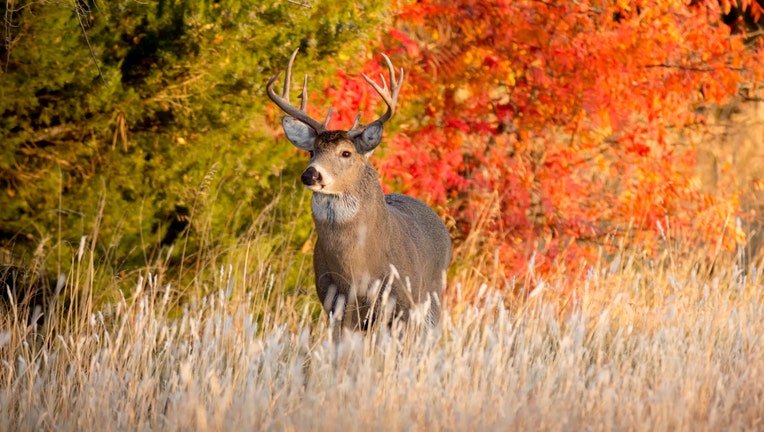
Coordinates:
560 123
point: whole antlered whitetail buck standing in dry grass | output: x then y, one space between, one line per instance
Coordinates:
377 257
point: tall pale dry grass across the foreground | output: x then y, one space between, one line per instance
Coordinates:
633 345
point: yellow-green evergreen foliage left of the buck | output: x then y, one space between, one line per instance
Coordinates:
174 143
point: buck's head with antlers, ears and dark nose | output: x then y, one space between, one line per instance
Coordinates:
338 159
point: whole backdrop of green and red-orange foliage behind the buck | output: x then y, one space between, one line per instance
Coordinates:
549 135
